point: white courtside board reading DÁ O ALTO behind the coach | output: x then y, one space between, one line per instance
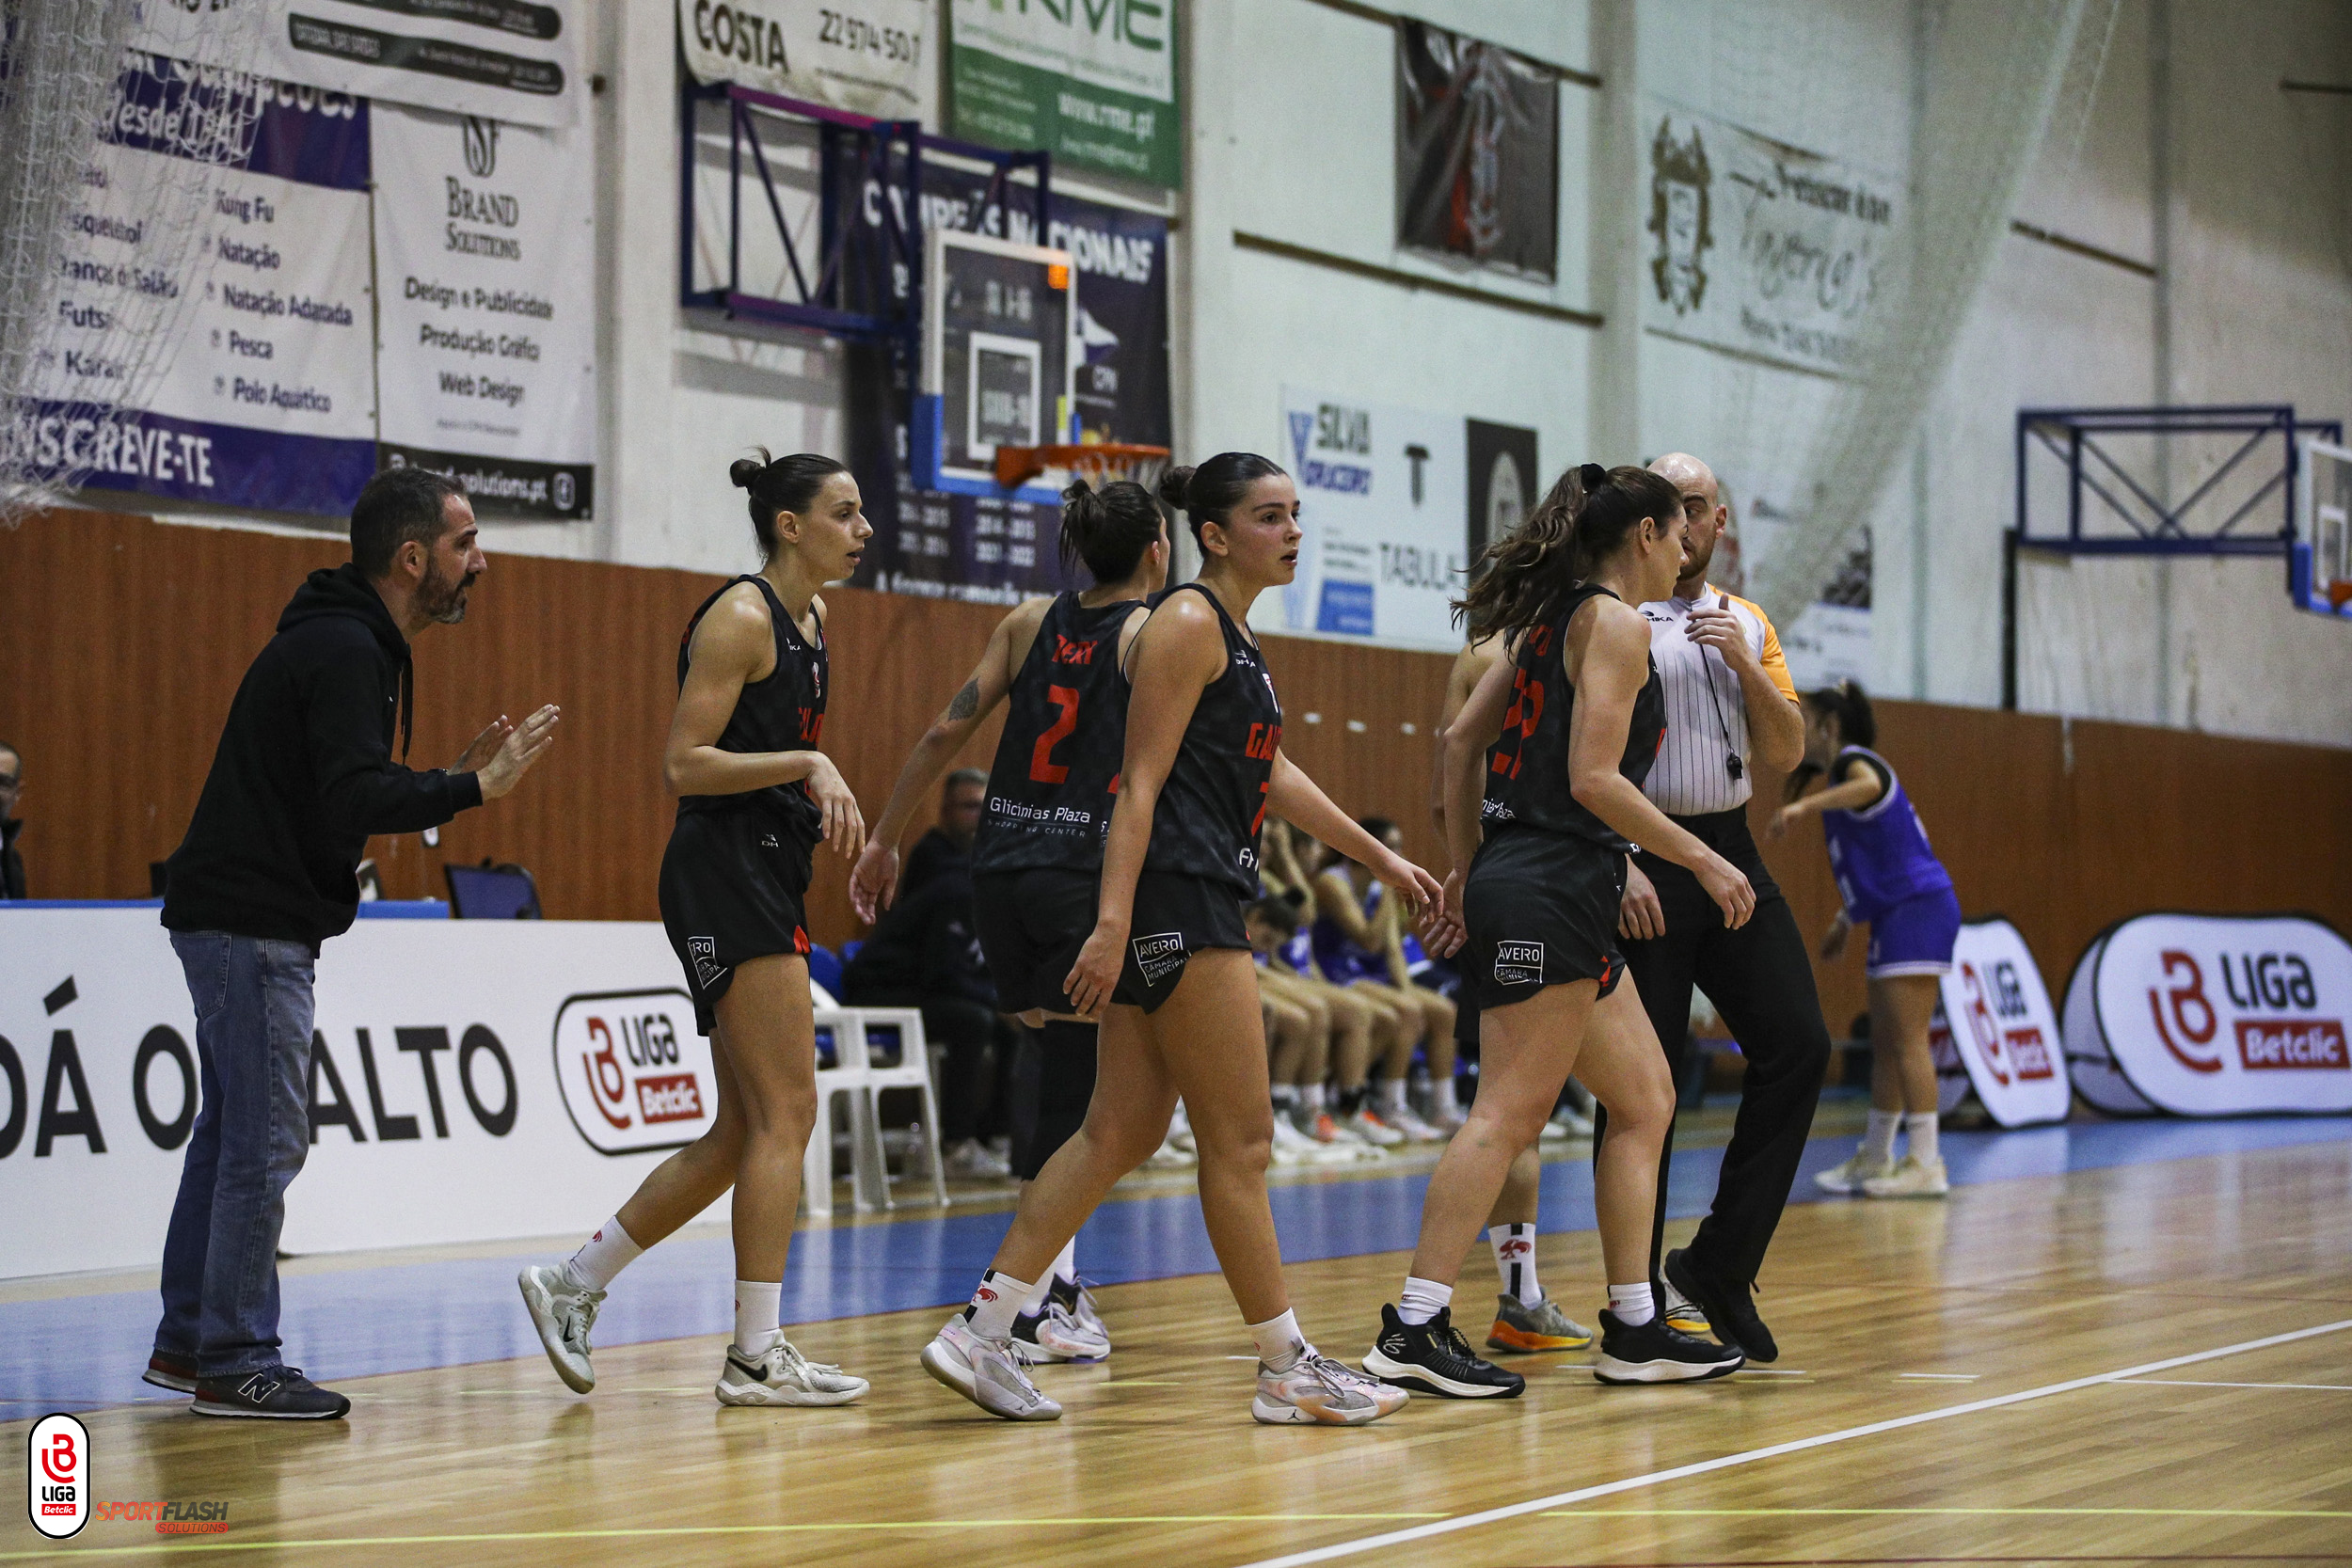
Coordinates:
542 1073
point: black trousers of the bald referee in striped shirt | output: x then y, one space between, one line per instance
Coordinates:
1760 981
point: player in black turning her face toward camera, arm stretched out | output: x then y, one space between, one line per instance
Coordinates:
1170 965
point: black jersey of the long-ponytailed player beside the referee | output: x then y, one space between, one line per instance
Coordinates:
1528 772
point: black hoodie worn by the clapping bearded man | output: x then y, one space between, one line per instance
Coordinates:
307 775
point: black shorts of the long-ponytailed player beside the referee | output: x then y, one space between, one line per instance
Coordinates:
1542 911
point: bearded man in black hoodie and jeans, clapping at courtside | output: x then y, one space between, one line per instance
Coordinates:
267 873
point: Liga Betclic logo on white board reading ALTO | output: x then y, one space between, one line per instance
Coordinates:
634 1073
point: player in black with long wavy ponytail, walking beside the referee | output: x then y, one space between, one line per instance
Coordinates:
1563 737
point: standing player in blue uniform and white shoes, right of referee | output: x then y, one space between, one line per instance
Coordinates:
1892 883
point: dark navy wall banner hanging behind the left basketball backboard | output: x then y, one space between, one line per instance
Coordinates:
980 547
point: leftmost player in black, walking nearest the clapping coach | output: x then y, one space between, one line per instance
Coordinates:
754 803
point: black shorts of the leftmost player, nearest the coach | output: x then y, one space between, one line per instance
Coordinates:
733 890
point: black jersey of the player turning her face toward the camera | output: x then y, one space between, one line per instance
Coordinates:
1215 798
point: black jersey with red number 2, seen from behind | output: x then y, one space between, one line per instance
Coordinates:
1064 739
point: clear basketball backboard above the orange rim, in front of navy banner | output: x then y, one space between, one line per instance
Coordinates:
998 356
